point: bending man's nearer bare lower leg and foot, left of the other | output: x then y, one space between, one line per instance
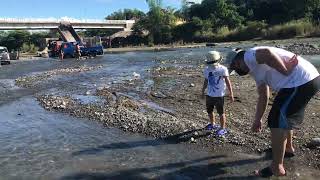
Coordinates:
278 143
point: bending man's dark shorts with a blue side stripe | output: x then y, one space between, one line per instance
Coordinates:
288 108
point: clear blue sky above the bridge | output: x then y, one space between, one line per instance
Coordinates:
80 9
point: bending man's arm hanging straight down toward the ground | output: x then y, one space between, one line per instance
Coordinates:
263 91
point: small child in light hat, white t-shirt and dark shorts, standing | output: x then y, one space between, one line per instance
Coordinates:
216 81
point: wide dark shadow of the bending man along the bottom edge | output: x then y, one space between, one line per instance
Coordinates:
181 170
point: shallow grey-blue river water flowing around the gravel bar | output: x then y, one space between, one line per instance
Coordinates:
37 144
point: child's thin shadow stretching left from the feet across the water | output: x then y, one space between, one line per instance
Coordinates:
174 139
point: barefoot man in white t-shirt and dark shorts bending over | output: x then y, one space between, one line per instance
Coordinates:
295 79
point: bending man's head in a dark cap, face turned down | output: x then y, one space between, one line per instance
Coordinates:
236 61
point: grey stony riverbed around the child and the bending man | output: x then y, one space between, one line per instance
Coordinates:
171 108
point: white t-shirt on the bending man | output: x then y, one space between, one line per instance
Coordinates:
264 74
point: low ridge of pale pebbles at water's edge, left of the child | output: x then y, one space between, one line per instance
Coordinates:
125 113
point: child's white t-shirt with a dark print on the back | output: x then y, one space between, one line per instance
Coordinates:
216 83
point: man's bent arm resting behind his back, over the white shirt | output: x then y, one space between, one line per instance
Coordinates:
265 56
